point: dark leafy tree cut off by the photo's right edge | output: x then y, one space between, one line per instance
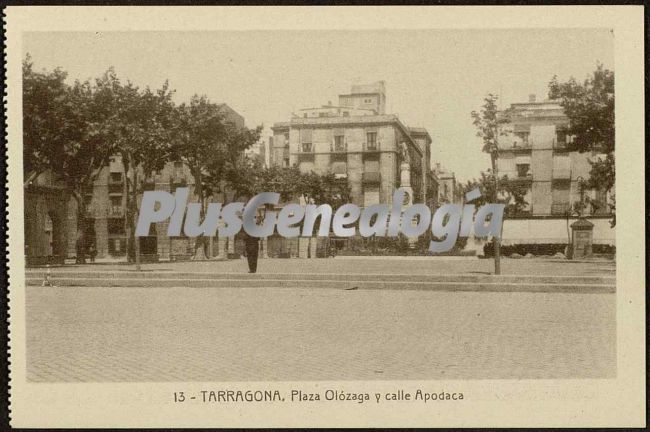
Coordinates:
590 108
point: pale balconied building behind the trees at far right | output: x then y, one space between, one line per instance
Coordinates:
534 155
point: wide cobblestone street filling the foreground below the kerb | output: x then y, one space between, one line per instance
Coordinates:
245 334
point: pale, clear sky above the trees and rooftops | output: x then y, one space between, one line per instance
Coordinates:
434 78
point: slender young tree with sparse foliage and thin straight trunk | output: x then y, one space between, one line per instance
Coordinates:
487 123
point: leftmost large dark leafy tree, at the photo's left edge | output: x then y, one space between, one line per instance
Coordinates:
63 133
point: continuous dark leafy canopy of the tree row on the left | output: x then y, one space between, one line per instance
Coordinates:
72 131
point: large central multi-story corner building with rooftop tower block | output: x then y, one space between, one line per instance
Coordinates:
359 142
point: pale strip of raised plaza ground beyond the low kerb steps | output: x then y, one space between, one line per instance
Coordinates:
419 265
